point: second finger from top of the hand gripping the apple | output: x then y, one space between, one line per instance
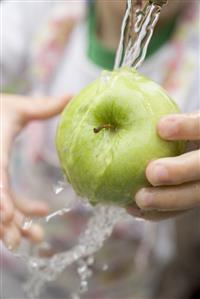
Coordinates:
174 171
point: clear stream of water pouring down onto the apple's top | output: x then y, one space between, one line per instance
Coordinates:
136 31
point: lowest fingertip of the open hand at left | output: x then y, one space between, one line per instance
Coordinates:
12 236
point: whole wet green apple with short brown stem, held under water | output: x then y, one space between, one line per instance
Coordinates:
107 135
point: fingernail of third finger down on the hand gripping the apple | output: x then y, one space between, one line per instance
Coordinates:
144 199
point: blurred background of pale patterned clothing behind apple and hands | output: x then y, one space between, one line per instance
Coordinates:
58 47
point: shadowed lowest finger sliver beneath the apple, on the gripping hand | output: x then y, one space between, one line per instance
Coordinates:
153 215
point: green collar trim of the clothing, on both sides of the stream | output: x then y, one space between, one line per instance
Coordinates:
105 57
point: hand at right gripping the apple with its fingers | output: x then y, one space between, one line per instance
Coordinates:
176 180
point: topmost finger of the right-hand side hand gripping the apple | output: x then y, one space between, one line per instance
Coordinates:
180 127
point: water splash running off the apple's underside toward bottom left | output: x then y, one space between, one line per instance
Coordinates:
99 228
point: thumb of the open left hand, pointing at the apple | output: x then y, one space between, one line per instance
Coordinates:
45 108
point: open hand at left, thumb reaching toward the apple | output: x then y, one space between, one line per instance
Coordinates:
16 112
